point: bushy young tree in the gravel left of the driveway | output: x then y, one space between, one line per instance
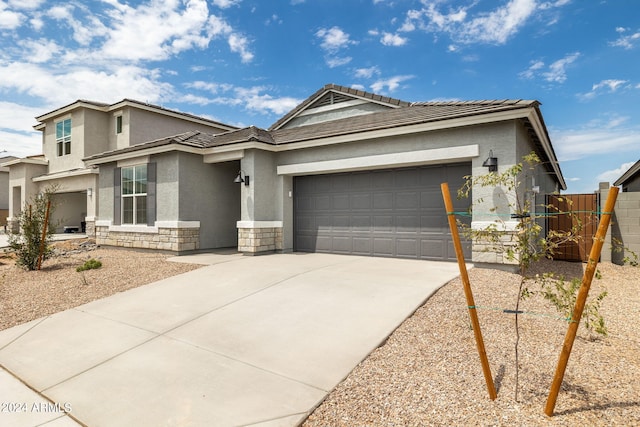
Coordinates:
28 241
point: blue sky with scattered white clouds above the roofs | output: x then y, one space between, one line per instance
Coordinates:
248 62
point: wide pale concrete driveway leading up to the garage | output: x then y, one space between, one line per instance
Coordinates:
244 341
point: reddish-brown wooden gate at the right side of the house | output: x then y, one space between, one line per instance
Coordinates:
566 211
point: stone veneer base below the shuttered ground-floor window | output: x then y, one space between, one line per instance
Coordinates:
167 239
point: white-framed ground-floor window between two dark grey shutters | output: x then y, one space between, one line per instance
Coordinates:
134 195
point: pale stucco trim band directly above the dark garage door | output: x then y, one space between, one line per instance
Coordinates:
380 161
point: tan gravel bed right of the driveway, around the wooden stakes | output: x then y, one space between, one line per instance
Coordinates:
428 372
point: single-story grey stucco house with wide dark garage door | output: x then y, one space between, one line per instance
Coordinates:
346 172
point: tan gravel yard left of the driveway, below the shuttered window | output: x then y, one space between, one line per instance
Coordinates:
29 295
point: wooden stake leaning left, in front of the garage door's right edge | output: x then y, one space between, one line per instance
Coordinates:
486 369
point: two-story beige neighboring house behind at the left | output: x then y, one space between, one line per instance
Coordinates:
80 130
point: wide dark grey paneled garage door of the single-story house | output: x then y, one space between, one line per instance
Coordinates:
389 213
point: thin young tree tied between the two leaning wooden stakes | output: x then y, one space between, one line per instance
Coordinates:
517 234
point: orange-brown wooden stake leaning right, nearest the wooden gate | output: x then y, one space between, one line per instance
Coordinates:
581 299
